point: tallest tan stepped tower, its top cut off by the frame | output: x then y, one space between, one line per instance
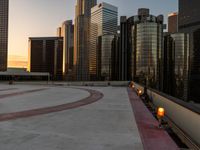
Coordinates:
81 38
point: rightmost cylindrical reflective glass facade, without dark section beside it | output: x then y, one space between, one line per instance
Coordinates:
181 64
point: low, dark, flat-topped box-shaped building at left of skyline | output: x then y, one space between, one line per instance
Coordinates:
46 55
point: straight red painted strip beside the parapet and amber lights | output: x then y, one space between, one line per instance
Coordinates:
152 137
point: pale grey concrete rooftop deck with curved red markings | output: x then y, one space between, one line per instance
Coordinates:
46 117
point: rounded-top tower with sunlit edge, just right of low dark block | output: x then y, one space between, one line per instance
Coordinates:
67 32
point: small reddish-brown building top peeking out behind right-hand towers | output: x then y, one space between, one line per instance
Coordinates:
173 22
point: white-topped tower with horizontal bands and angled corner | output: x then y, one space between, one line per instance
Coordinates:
103 22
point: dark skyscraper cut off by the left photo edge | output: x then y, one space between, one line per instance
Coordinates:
4 6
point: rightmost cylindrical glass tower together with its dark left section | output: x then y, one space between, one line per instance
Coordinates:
176 65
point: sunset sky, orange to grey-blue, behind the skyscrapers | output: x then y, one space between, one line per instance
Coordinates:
37 18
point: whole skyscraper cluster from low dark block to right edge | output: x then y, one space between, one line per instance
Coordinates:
96 48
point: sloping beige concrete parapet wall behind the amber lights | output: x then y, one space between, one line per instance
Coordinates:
186 119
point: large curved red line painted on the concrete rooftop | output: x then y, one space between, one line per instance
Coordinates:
94 96
